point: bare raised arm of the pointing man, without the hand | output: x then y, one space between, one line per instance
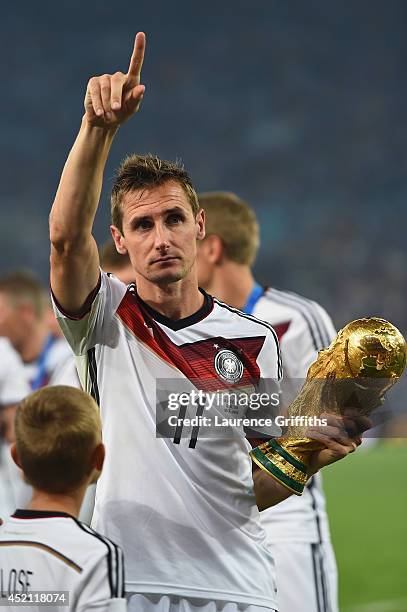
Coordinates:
74 254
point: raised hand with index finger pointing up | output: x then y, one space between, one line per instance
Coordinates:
112 98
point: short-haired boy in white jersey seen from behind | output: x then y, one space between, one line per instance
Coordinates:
45 552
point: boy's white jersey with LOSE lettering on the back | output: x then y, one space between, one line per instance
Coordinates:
42 551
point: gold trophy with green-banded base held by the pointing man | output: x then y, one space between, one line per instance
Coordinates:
364 360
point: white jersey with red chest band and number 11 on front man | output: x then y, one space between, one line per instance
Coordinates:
185 517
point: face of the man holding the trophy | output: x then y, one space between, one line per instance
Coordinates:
159 233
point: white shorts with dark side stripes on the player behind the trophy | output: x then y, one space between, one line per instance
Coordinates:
306 575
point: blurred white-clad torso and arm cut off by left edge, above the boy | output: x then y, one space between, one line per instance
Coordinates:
13 388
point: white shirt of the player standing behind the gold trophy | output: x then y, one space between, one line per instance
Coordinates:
303 328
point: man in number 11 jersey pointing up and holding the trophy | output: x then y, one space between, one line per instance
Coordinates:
182 507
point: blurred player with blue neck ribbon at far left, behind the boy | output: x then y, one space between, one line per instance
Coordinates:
24 307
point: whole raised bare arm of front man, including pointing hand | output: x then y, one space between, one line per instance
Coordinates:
109 101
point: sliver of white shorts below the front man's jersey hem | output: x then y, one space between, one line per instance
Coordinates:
171 603
